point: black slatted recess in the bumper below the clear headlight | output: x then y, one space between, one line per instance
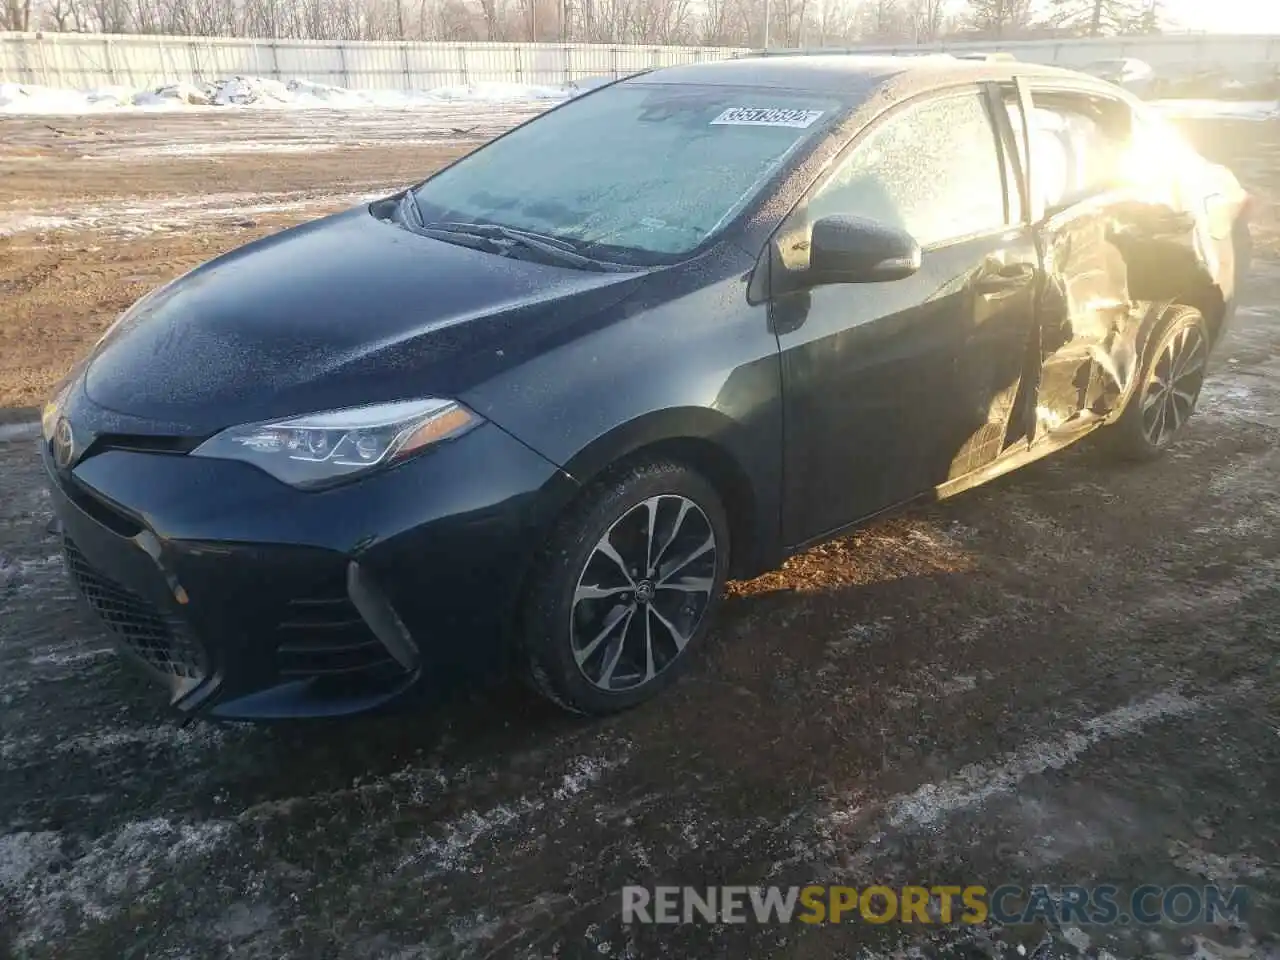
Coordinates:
326 637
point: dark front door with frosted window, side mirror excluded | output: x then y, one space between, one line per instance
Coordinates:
893 388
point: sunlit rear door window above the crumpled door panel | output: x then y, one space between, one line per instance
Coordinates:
1078 147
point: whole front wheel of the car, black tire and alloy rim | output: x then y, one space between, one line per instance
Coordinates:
561 610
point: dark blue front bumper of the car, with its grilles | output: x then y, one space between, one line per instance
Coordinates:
250 600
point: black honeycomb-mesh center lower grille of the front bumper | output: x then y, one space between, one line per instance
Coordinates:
163 643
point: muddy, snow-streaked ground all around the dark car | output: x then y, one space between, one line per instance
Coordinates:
1068 676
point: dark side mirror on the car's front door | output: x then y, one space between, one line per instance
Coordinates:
856 250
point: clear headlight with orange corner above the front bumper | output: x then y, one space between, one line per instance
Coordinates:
322 449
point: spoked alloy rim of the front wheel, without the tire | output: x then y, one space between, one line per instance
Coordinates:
644 593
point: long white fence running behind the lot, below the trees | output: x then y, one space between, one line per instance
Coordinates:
86 61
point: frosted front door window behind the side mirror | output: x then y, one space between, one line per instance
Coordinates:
934 171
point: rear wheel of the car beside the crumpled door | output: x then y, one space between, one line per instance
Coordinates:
1140 435
